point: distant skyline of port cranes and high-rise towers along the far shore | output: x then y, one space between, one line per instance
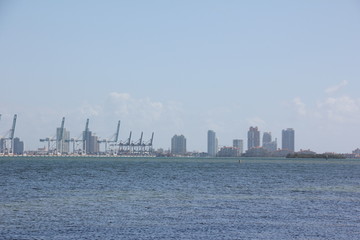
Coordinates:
90 143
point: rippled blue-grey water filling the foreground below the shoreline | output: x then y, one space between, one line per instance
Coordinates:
128 198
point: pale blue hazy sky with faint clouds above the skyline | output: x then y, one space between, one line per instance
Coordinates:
183 67
